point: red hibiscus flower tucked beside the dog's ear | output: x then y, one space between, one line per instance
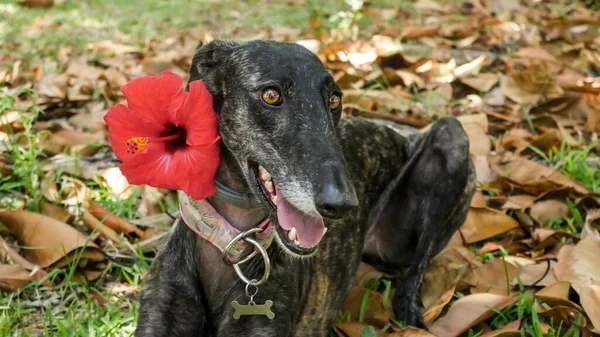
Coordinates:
166 137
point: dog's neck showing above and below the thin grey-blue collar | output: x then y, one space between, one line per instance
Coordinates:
230 175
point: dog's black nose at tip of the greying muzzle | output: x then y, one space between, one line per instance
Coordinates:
335 193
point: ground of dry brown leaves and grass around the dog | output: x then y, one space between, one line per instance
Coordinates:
523 77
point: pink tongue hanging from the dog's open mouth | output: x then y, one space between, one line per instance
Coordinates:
309 228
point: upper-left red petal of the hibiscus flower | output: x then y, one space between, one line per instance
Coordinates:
156 98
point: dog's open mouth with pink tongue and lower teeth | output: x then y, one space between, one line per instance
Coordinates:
300 232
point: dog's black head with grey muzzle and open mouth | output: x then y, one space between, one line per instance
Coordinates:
278 109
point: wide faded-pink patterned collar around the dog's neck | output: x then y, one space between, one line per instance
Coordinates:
205 221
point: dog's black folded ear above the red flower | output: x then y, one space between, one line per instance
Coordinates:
207 63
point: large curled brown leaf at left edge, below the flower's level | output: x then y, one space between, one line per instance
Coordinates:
51 242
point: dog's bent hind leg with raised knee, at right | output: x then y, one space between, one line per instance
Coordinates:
421 209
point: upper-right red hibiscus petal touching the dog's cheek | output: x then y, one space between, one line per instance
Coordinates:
198 117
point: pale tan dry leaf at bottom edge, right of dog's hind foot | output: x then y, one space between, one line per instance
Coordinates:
469 311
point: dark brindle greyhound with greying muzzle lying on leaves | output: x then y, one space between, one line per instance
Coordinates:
392 200
